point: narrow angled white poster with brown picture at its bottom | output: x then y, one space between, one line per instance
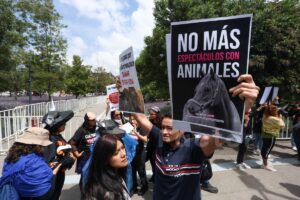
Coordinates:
131 99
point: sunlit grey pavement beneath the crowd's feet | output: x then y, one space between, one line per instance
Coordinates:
252 184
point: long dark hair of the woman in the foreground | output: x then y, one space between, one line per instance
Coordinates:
103 178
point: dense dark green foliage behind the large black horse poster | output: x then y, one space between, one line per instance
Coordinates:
274 52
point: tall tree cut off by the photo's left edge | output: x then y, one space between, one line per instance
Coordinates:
12 43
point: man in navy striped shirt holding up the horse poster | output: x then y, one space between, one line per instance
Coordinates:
179 160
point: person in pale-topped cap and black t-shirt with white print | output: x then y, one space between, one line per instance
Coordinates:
82 140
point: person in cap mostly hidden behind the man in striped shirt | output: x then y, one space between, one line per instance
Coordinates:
155 119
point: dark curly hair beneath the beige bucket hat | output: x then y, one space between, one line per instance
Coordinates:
19 149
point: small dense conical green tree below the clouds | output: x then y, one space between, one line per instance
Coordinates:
77 79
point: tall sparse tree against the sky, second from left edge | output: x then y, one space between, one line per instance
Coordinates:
46 46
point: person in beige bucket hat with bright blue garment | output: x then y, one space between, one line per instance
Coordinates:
26 168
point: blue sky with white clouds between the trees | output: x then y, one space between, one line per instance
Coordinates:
99 30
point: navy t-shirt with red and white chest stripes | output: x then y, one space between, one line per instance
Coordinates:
177 172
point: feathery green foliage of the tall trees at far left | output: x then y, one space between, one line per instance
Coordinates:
30 35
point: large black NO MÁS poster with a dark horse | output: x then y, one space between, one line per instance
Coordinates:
207 57
